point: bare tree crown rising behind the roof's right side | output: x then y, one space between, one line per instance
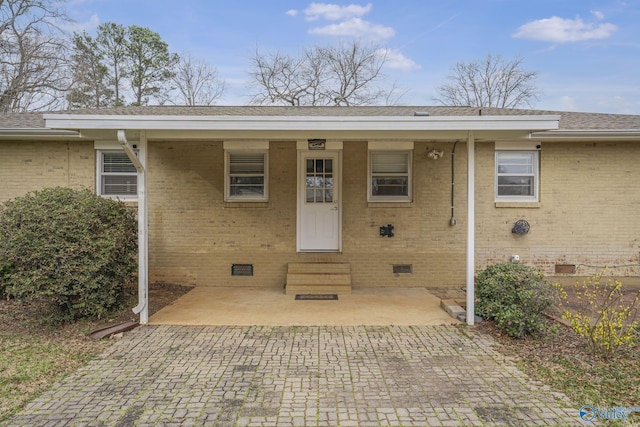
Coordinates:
491 82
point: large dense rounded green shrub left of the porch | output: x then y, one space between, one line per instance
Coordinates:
70 247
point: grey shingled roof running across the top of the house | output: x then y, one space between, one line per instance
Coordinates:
568 121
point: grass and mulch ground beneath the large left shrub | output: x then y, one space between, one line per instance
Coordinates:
36 352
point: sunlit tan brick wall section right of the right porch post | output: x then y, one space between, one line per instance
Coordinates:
587 214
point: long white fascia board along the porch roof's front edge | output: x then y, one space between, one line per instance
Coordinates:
264 123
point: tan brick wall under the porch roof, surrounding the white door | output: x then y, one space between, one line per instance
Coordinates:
196 236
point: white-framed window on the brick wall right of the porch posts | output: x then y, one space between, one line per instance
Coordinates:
517 175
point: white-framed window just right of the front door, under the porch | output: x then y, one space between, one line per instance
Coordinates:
390 176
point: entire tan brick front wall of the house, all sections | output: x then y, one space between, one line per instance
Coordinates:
587 215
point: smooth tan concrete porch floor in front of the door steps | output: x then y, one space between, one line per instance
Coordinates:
271 307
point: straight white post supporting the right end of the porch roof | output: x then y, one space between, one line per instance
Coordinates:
471 236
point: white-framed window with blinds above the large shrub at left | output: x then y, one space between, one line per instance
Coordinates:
117 175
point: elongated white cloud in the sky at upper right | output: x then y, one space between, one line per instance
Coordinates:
561 30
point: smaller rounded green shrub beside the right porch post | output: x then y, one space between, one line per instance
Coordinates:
515 296
